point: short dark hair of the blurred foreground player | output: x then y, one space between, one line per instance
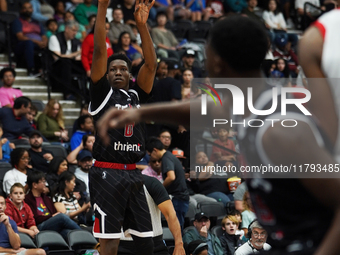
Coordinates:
239 41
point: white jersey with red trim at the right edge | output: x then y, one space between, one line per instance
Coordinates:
328 25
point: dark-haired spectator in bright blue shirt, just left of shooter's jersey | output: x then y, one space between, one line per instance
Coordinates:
85 126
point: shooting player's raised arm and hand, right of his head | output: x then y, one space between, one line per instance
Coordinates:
147 72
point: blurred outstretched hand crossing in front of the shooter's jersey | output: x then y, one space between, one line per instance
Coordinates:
113 119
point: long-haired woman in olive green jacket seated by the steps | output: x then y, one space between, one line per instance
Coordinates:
51 122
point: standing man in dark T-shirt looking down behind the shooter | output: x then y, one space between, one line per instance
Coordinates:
173 176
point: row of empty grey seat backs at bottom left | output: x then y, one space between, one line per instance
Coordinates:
53 243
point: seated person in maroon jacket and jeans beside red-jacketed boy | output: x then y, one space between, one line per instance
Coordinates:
45 214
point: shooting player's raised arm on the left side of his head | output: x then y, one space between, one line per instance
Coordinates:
99 61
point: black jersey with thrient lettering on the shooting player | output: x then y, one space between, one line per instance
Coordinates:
127 145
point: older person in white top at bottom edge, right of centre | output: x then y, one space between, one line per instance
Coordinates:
257 240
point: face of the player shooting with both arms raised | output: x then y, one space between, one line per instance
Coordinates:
118 74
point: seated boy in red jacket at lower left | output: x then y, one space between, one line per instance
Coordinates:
20 212
